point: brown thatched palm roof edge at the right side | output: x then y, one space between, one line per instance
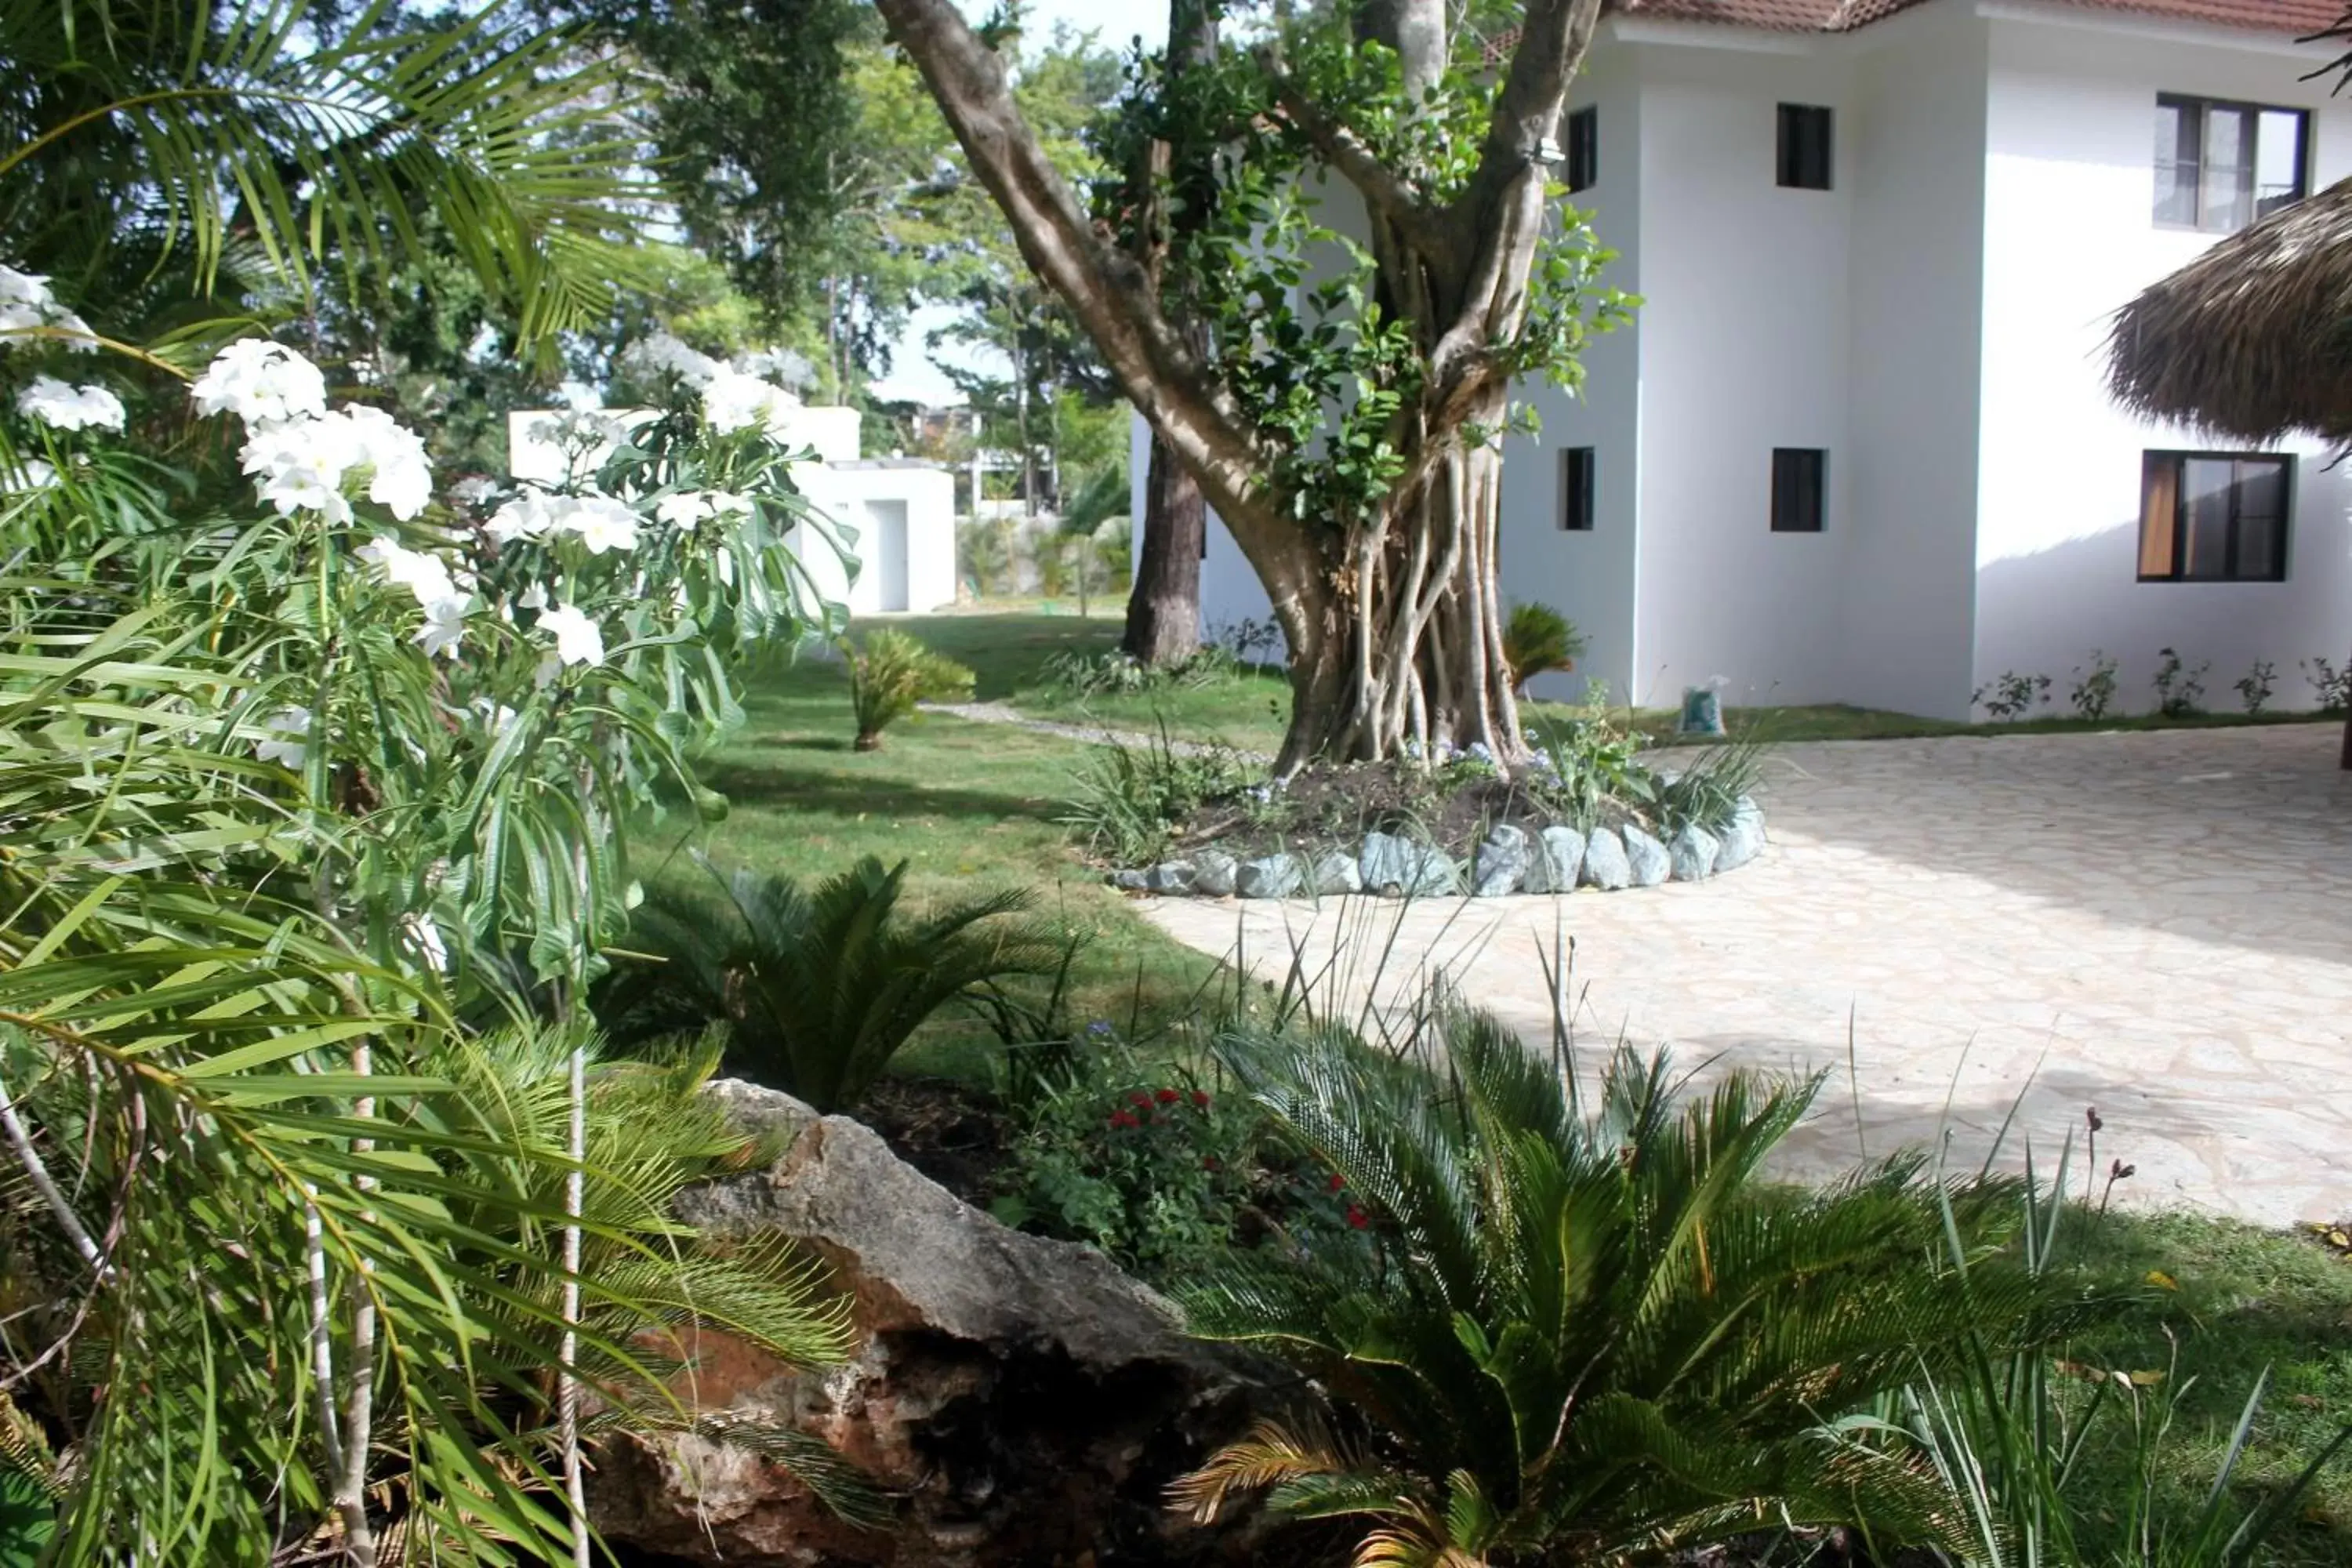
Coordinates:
2252 340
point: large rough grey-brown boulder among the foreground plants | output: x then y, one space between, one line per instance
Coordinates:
1024 1400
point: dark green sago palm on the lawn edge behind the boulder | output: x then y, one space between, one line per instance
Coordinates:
817 986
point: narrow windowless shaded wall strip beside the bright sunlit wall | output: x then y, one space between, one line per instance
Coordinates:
1916 319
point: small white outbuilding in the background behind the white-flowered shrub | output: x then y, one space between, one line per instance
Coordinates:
900 509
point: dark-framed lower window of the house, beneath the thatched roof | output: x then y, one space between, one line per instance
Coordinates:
2214 518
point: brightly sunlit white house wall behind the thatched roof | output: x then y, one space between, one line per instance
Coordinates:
2069 241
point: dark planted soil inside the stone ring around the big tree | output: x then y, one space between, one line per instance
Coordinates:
1337 808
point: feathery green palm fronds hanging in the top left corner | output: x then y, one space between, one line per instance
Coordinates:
149 147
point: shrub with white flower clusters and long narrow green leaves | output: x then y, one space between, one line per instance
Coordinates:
472 695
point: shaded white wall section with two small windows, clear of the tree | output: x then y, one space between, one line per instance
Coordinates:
1744 349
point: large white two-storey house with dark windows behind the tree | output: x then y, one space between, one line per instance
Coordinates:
1857 443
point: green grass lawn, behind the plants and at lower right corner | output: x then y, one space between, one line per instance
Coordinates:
975 808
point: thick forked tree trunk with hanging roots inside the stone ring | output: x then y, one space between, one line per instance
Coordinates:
1394 624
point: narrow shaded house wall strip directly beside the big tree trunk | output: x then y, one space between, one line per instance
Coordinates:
1591 577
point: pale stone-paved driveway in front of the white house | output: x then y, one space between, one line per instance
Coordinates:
2158 925
